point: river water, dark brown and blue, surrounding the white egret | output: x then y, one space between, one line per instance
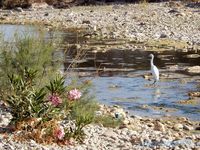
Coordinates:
117 76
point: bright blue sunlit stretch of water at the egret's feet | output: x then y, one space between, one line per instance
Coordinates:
137 98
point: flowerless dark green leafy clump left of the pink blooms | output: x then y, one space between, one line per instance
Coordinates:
24 100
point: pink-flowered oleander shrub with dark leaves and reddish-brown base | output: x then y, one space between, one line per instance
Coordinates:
51 103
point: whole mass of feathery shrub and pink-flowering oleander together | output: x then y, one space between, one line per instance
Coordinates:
44 107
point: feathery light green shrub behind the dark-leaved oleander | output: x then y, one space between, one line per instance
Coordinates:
31 52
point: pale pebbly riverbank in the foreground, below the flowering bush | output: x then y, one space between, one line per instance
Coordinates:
135 133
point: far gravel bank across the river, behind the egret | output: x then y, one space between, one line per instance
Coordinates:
142 22
